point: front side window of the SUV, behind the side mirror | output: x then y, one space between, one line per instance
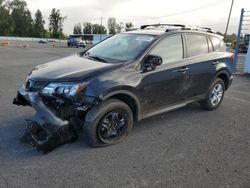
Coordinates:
170 49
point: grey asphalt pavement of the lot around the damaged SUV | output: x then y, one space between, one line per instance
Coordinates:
187 147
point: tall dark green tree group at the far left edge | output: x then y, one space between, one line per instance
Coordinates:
16 20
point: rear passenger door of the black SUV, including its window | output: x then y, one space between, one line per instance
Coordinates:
201 61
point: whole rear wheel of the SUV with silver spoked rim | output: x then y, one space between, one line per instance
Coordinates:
214 96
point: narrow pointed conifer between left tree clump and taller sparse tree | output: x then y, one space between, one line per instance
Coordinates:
39 22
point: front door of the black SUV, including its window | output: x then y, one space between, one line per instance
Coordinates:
168 83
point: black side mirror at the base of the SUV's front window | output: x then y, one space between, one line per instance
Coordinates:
150 62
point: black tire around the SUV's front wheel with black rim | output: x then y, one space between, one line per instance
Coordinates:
95 117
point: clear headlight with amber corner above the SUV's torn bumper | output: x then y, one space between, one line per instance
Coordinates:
63 89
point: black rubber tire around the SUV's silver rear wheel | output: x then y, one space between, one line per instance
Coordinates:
207 104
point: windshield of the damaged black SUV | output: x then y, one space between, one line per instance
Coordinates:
120 48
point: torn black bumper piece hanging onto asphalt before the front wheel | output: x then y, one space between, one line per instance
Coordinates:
46 138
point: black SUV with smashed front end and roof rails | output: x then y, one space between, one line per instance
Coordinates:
126 78
